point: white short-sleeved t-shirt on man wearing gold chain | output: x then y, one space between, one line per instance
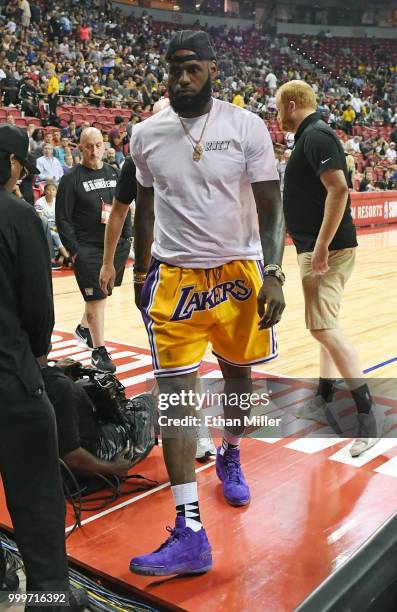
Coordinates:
205 212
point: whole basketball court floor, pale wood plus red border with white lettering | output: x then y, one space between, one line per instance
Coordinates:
312 505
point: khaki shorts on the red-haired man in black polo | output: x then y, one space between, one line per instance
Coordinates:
323 293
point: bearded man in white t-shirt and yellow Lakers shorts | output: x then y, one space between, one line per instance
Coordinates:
206 174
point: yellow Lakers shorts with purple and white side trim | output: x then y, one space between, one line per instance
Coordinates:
184 309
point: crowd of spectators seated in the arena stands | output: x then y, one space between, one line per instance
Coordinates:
64 66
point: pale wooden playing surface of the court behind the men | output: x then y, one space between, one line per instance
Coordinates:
369 312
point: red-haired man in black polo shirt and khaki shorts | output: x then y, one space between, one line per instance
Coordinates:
318 219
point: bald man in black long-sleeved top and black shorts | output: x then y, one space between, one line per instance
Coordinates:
83 206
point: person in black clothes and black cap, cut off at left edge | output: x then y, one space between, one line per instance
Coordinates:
29 464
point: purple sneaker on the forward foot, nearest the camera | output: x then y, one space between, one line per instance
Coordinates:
185 552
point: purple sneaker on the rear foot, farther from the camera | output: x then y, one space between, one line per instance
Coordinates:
234 486
